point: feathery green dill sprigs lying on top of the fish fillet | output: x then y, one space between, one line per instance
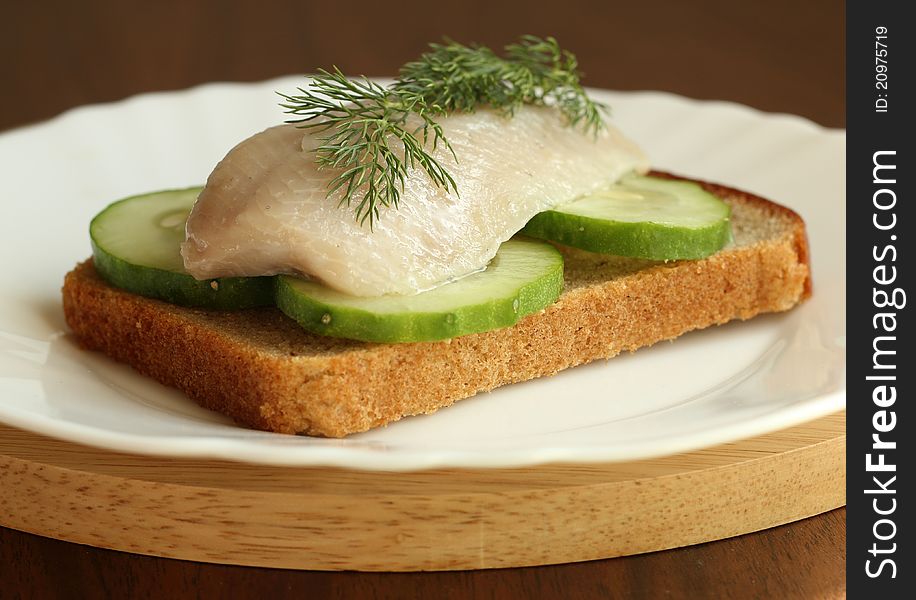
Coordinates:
376 135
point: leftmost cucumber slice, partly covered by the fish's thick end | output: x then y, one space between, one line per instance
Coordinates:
135 246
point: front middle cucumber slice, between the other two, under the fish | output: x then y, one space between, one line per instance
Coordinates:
524 277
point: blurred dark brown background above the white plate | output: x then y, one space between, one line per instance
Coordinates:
778 55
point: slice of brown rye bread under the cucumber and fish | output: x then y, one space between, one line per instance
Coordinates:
260 368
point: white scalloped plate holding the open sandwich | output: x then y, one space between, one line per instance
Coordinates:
708 387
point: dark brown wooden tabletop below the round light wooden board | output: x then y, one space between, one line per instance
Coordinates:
805 560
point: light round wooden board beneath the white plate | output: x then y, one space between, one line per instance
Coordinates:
331 519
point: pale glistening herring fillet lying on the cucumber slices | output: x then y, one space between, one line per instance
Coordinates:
264 209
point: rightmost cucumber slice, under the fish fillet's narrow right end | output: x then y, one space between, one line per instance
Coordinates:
642 217
